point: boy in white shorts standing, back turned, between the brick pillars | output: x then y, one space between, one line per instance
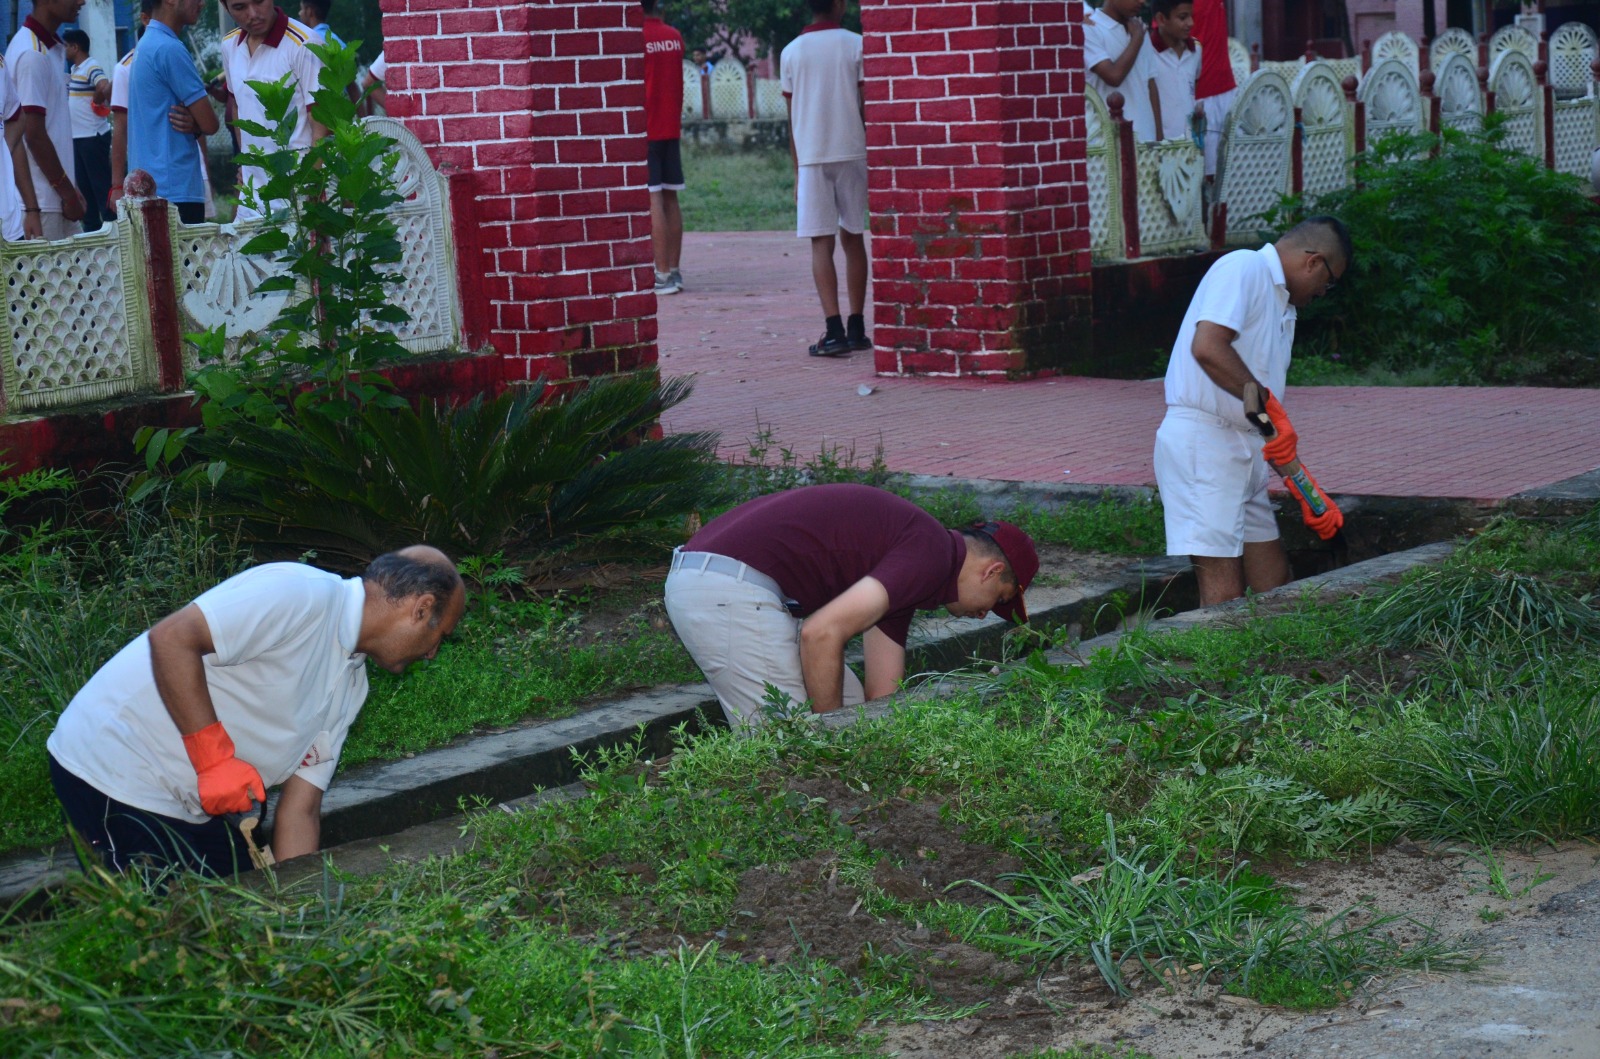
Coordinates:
828 140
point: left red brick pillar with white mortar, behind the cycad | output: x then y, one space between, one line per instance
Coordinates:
542 105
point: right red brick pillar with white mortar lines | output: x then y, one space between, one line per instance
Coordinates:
978 185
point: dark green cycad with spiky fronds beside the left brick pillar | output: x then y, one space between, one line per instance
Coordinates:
543 481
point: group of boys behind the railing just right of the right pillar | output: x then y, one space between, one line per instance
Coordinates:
1175 78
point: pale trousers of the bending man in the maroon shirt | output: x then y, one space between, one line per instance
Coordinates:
743 639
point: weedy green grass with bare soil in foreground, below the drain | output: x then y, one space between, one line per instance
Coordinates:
743 898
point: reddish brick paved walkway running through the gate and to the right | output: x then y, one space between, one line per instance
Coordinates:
750 313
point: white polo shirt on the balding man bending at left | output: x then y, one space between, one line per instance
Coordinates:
286 681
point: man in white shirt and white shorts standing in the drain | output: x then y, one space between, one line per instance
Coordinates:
1212 468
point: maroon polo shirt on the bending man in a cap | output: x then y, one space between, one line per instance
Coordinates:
822 540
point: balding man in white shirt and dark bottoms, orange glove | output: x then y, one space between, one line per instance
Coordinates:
254 685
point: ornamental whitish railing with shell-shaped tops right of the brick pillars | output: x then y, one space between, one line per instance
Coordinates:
1297 129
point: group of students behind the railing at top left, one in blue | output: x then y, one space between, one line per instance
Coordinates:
65 164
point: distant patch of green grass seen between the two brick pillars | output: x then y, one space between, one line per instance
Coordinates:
751 191
